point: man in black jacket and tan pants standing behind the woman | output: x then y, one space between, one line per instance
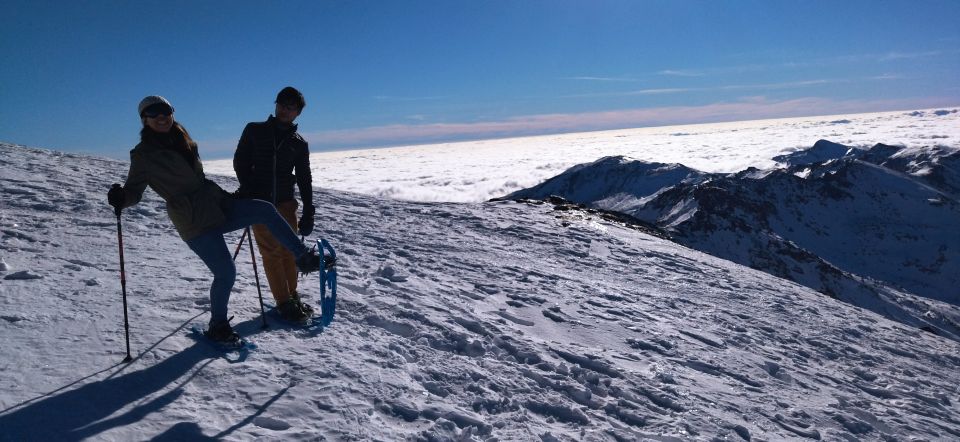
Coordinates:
271 156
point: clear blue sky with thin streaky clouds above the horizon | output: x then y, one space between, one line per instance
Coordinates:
401 72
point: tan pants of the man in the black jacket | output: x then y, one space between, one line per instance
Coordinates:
278 263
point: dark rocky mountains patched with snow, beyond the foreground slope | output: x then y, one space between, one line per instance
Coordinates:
831 217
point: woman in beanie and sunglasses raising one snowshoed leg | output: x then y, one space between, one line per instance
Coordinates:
166 159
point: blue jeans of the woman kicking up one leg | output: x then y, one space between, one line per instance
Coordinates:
212 248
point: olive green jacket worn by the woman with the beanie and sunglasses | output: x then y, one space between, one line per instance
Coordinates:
194 203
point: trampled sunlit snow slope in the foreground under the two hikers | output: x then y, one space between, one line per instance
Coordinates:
487 321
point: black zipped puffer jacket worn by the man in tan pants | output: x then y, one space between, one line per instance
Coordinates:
269 160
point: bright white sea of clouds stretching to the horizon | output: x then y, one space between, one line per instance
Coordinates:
480 170
